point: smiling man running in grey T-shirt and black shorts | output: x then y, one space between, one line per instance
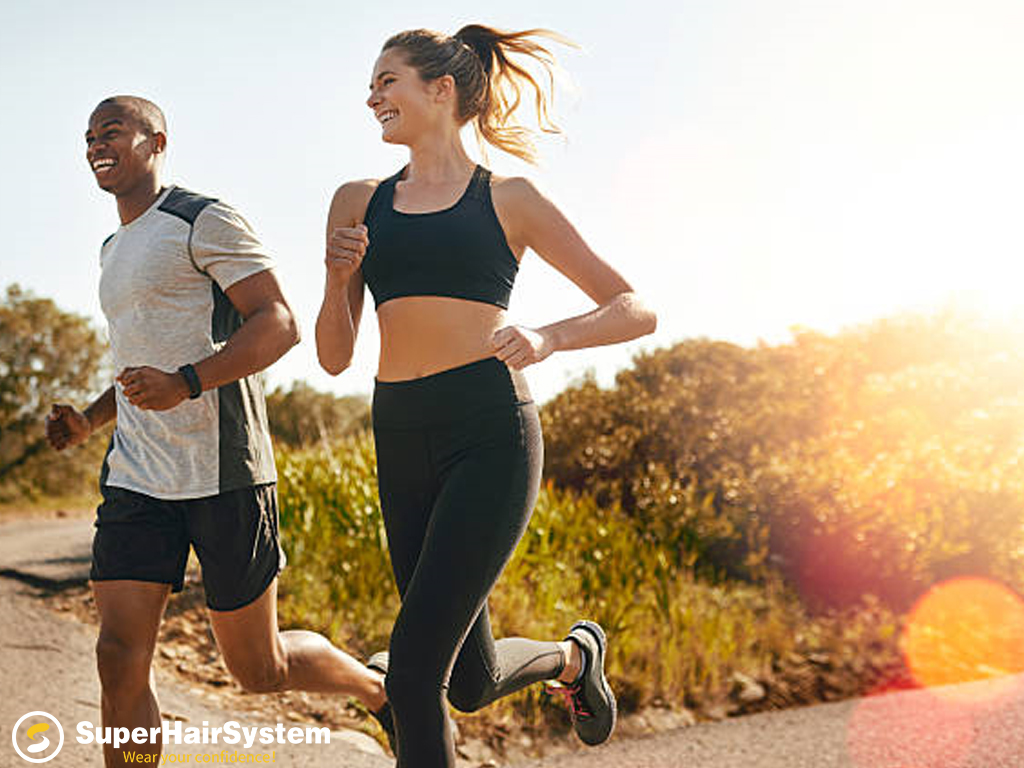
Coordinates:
195 312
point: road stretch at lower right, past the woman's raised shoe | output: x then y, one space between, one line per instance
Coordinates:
980 726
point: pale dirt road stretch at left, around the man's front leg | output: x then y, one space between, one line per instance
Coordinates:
49 664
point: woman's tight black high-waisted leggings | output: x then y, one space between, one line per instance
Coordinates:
459 458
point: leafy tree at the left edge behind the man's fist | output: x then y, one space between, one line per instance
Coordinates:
48 356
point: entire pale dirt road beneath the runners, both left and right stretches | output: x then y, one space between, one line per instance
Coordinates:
49 666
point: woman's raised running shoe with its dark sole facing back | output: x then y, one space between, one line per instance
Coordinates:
590 701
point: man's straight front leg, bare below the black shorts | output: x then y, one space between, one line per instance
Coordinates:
130 620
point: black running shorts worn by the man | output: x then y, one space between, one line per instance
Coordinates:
235 536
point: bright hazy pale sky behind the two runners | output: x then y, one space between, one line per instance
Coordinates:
750 166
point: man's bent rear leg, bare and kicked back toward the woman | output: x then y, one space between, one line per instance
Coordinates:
265 660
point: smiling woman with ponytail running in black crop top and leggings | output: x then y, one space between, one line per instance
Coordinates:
458 438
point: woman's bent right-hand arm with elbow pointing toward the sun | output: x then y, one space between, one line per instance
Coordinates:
531 221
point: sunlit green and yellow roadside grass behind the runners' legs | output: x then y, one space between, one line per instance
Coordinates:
676 642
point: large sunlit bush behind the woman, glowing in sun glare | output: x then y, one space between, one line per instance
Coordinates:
877 461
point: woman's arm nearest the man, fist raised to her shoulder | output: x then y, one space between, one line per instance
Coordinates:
338 322
